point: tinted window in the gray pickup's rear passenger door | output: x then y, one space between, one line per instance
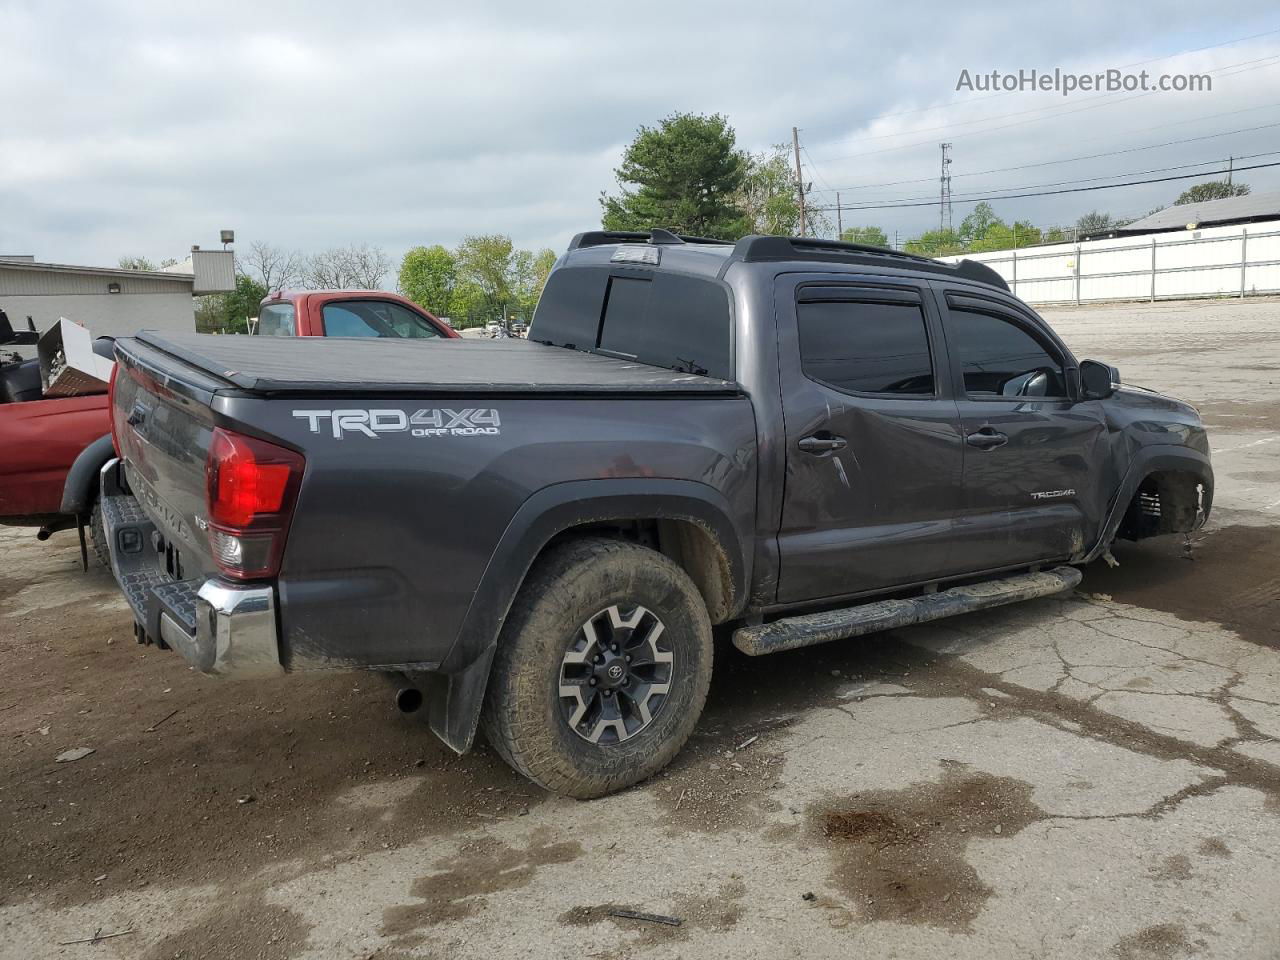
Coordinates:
866 348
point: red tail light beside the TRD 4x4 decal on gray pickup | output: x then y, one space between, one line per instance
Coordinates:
252 487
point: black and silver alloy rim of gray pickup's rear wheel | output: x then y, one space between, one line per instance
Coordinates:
616 675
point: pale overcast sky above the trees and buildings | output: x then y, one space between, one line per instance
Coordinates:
147 127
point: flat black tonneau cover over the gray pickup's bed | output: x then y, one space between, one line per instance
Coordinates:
319 365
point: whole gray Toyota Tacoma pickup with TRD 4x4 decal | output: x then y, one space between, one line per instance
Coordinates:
797 441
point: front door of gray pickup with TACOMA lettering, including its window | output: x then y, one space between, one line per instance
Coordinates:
1030 450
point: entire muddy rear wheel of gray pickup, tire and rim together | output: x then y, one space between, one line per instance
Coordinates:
602 669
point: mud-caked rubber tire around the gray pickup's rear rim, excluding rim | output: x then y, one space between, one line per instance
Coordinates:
573 583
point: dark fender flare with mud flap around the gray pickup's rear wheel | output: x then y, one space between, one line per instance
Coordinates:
456 694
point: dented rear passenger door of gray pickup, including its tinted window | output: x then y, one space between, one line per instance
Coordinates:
874 447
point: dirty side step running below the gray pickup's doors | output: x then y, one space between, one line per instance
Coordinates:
813 629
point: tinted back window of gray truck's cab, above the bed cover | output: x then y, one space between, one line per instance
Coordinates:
669 321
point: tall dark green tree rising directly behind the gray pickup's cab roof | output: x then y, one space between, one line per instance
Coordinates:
687 175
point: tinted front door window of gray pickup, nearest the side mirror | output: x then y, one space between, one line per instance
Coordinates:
1000 359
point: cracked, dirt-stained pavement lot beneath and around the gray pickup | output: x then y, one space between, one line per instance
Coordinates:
1091 776
